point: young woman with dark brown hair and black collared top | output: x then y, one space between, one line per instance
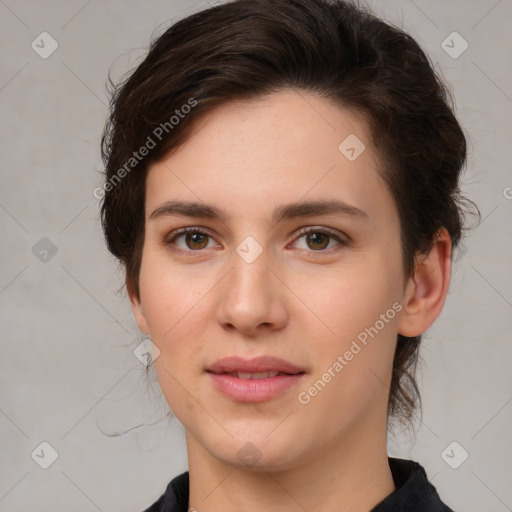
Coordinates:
282 191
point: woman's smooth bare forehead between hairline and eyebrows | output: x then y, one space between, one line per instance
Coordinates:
245 156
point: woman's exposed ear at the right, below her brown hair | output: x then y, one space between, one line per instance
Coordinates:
426 290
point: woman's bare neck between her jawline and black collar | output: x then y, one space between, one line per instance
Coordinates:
351 474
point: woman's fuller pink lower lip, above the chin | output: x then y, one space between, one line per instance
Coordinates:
253 390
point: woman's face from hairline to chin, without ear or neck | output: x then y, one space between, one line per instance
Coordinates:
259 275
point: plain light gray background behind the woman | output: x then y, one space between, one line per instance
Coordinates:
68 373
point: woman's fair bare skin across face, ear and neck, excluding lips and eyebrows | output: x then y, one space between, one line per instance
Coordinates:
302 300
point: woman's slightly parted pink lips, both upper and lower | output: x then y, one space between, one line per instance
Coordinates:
253 390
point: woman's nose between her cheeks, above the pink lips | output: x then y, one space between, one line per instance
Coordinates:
253 298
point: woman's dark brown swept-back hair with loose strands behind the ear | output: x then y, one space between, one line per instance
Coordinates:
246 49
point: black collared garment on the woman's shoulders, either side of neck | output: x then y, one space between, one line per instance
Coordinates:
413 493
